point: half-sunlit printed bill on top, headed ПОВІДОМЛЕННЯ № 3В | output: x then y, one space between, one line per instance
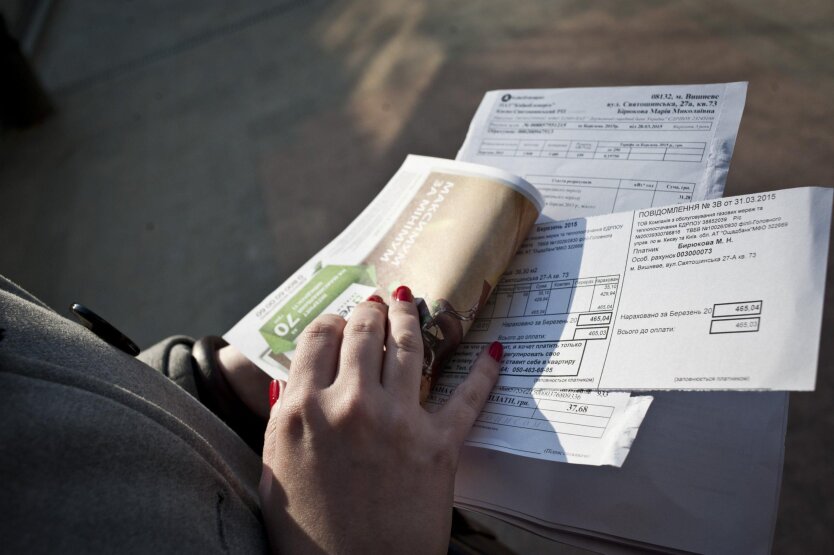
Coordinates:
722 294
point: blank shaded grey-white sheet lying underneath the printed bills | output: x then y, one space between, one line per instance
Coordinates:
703 476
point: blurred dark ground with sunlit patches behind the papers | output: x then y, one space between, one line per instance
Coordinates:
201 152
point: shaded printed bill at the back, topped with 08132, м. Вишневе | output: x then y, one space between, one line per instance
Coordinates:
599 150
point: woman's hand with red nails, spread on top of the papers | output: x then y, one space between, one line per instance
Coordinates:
352 462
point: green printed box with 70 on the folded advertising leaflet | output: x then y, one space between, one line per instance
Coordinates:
284 327
